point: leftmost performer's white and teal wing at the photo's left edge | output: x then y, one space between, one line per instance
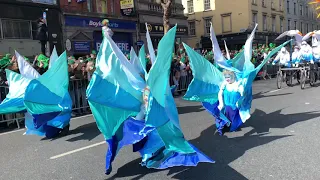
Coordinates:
14 100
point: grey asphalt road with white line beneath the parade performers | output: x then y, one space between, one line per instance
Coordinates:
280 141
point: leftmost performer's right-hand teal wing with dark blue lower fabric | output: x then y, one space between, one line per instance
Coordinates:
53 112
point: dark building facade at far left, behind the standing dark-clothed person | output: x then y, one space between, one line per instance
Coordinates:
18 25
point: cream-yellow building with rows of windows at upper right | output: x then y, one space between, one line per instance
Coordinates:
234 20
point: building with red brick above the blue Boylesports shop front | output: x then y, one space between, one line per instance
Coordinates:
82 26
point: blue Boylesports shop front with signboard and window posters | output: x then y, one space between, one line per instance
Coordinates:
85 34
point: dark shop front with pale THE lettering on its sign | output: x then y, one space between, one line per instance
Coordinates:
156 33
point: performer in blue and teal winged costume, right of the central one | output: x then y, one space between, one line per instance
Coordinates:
226 95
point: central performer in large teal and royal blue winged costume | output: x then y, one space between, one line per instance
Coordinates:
117 94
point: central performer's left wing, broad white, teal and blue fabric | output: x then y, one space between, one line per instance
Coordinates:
112 94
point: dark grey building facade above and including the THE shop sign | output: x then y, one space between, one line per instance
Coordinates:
152 13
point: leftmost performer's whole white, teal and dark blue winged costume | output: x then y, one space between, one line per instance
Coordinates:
44 99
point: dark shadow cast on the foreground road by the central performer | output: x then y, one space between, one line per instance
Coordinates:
222 149
